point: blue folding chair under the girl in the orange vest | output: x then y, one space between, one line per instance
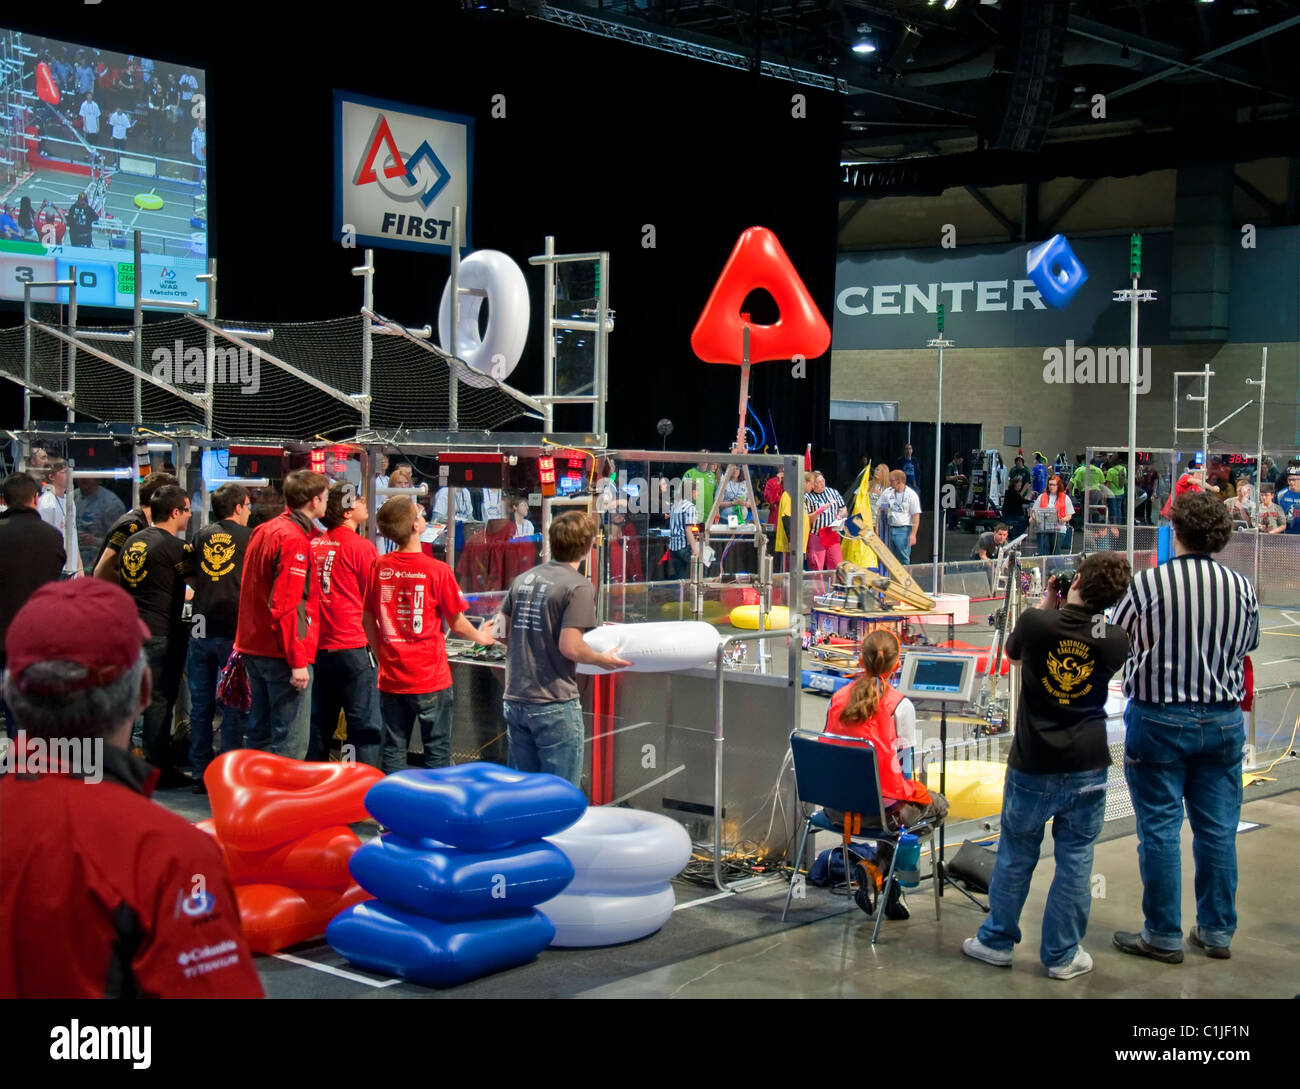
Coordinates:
842 774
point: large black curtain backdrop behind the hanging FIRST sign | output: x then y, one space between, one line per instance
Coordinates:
600 141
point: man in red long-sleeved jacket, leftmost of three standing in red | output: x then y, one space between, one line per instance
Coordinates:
279 627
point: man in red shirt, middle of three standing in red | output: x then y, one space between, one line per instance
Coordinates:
346 673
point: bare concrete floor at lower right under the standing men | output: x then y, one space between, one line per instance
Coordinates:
920 958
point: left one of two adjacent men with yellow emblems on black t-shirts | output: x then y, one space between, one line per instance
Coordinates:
153 570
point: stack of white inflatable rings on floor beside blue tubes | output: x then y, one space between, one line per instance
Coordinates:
623 861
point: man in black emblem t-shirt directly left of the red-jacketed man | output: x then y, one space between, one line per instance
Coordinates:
219 552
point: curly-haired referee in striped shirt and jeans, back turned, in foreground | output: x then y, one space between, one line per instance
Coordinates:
1191 622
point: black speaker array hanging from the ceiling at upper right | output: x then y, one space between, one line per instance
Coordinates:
1029 66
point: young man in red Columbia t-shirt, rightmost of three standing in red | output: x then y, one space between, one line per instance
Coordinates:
410 597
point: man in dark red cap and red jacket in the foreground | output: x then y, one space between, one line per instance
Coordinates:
110 895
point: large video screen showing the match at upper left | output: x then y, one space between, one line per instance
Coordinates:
99 145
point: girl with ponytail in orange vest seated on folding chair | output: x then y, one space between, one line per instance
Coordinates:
873 710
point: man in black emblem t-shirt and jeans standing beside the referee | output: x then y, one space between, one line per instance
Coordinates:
1058 766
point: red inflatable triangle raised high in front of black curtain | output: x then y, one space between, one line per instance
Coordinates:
757 262
